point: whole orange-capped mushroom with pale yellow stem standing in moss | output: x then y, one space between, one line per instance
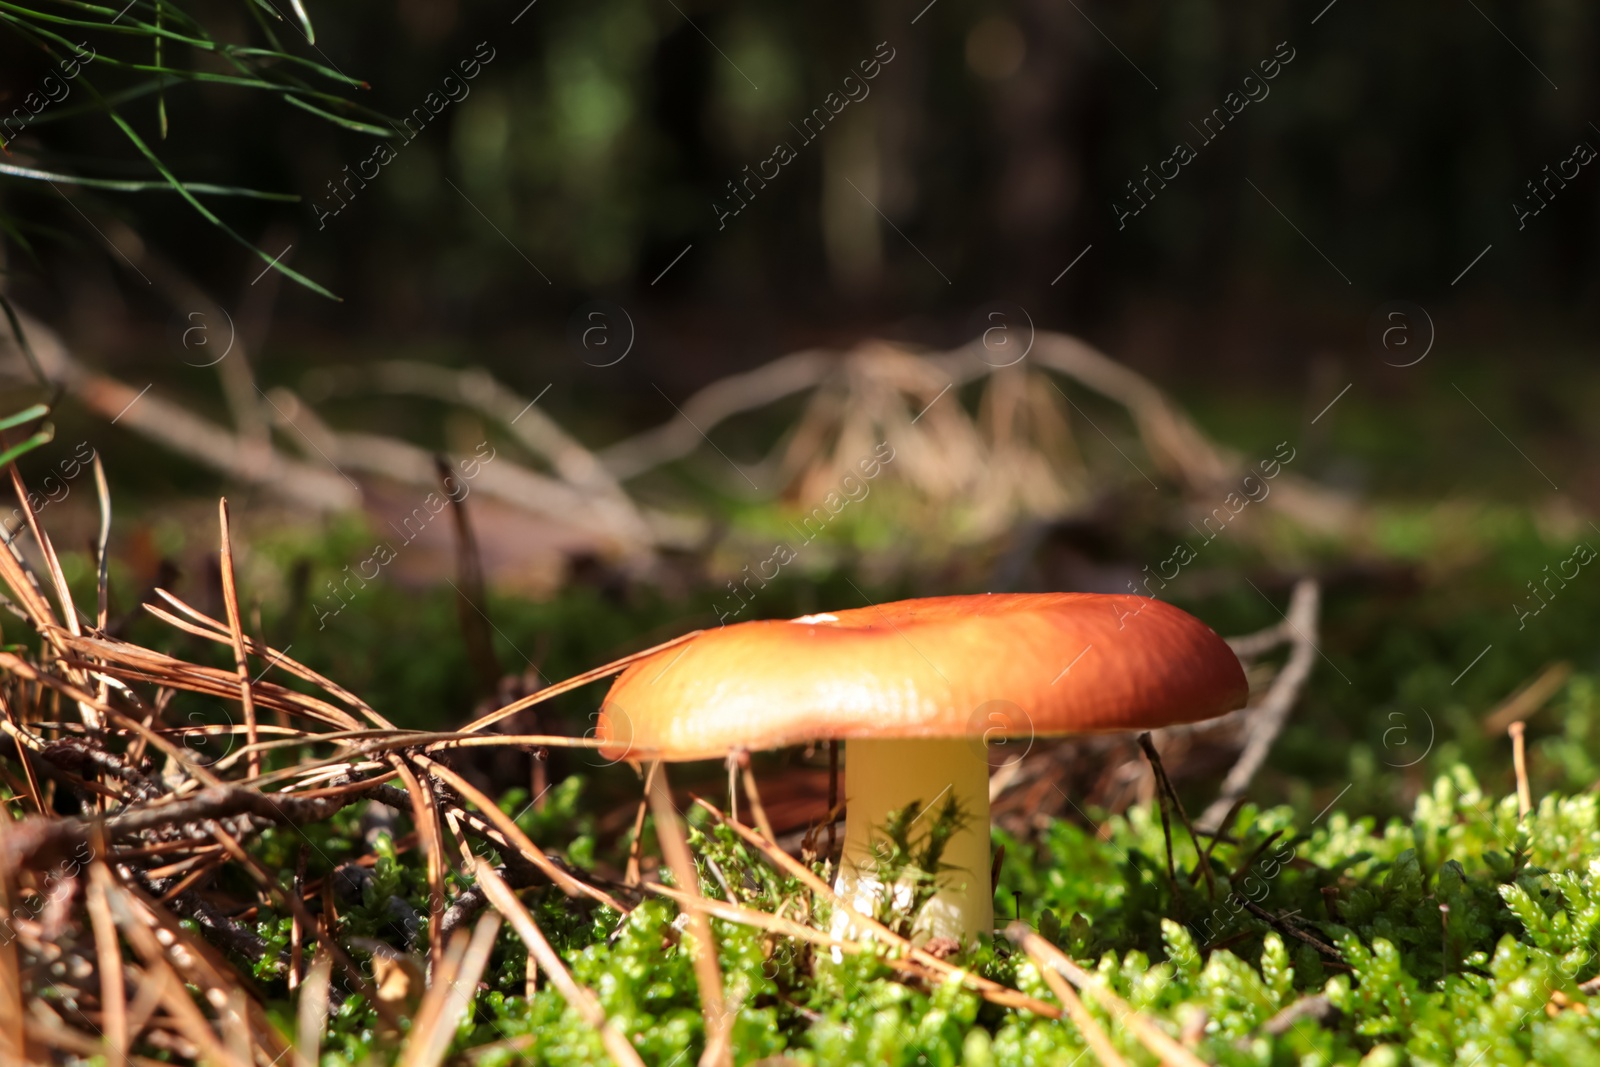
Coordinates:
918 689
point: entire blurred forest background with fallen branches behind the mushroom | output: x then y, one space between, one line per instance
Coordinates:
553 162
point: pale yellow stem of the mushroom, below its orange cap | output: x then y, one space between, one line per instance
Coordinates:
882 777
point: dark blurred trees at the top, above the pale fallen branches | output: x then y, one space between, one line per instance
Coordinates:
998 143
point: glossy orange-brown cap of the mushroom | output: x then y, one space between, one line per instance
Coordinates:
935 668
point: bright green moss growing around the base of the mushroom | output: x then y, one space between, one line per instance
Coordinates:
1458 935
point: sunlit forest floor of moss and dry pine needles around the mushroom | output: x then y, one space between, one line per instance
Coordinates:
1414 877
